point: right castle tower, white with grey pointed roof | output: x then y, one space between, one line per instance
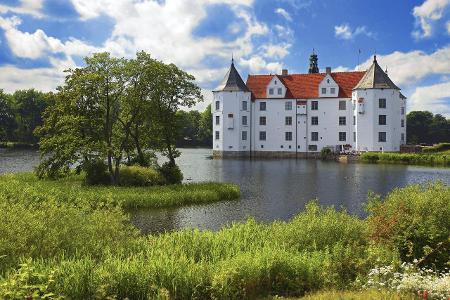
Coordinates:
377 105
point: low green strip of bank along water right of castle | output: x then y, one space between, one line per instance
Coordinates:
438 159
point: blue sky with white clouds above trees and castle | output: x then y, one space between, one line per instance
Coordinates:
39 39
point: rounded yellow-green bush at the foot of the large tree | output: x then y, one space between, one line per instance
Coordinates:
140 176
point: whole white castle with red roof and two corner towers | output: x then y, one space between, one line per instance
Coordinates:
300 114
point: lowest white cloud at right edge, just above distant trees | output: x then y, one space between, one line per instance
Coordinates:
434 98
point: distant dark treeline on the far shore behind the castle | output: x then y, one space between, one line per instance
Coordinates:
20 114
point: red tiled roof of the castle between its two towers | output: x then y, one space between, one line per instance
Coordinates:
304 86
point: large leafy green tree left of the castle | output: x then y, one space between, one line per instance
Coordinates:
114 109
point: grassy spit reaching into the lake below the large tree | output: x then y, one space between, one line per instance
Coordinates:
71 189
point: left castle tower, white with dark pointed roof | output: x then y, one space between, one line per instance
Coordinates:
231 116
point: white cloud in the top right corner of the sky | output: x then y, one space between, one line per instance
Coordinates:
426 14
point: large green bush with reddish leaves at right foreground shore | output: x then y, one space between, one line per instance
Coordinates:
416 221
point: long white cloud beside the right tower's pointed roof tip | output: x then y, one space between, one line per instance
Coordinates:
407 68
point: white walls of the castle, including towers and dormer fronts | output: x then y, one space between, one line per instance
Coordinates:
362 122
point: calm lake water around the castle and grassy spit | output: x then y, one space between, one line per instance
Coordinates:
270 189
